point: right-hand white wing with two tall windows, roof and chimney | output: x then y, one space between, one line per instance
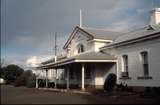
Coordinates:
137 53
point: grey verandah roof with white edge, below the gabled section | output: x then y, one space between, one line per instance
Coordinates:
82 58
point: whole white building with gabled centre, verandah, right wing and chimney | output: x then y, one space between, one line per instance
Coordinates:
93 54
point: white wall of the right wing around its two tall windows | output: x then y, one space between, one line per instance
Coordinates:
135 64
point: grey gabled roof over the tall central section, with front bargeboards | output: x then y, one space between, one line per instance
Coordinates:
93 33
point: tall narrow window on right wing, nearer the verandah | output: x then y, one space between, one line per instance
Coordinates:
125 66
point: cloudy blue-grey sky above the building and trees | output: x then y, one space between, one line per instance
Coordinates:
28 26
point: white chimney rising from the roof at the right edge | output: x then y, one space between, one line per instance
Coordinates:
155 19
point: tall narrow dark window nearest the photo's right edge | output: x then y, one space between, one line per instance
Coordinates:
144 56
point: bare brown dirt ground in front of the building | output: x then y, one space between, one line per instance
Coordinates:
23 95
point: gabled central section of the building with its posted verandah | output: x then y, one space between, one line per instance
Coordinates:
84 65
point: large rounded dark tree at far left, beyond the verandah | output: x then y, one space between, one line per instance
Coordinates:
12 72
